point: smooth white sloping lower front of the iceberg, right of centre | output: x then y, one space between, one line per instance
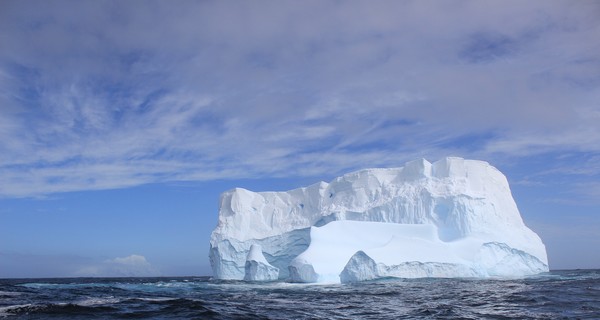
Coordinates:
351 251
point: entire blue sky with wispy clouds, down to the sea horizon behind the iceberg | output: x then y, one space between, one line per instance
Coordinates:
121 122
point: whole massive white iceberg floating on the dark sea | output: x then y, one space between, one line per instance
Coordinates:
452 218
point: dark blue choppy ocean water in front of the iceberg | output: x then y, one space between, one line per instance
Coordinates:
555 295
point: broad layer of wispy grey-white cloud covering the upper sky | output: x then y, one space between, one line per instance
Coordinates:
122 94
